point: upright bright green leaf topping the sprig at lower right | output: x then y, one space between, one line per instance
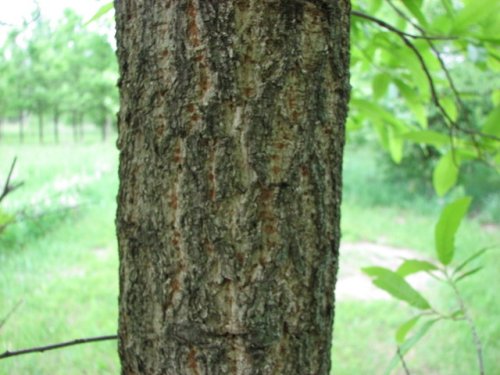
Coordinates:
447 226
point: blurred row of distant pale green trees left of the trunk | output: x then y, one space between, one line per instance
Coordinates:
63 74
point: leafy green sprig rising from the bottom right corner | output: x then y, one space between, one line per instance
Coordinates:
394 283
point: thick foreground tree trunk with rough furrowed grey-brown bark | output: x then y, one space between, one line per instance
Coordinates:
231 133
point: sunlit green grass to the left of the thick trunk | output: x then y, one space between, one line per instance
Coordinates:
63 267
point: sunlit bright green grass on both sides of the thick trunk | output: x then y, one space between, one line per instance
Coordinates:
64 268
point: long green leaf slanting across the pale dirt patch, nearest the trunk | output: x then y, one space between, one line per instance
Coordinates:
396 286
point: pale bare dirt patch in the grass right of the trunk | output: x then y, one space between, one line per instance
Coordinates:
352 284
